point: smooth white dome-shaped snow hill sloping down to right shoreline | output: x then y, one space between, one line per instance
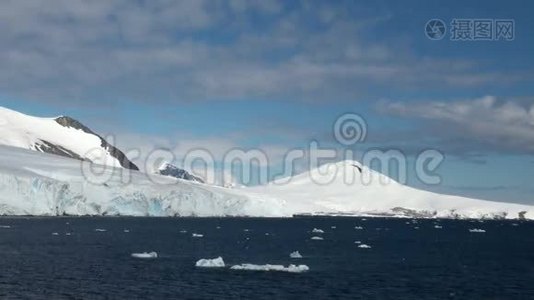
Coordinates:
341 188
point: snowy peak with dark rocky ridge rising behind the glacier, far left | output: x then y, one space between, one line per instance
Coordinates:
61 136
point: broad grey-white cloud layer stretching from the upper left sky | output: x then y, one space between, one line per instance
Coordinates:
183 50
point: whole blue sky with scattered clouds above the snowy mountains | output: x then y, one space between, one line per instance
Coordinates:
277 74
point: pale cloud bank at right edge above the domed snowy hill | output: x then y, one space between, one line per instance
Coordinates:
500 124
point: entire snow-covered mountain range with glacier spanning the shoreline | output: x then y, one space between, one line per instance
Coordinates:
34 183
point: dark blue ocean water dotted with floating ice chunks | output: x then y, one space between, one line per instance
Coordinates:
406 260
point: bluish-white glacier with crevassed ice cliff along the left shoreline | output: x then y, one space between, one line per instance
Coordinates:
33 183
